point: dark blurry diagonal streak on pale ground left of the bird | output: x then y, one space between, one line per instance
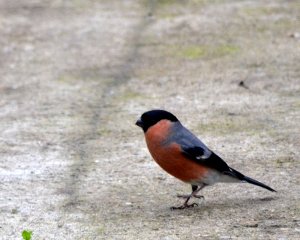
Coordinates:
82 158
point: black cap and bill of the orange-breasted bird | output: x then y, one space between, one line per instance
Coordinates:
152 117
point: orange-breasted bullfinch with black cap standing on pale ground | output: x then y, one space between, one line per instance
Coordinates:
181 154
